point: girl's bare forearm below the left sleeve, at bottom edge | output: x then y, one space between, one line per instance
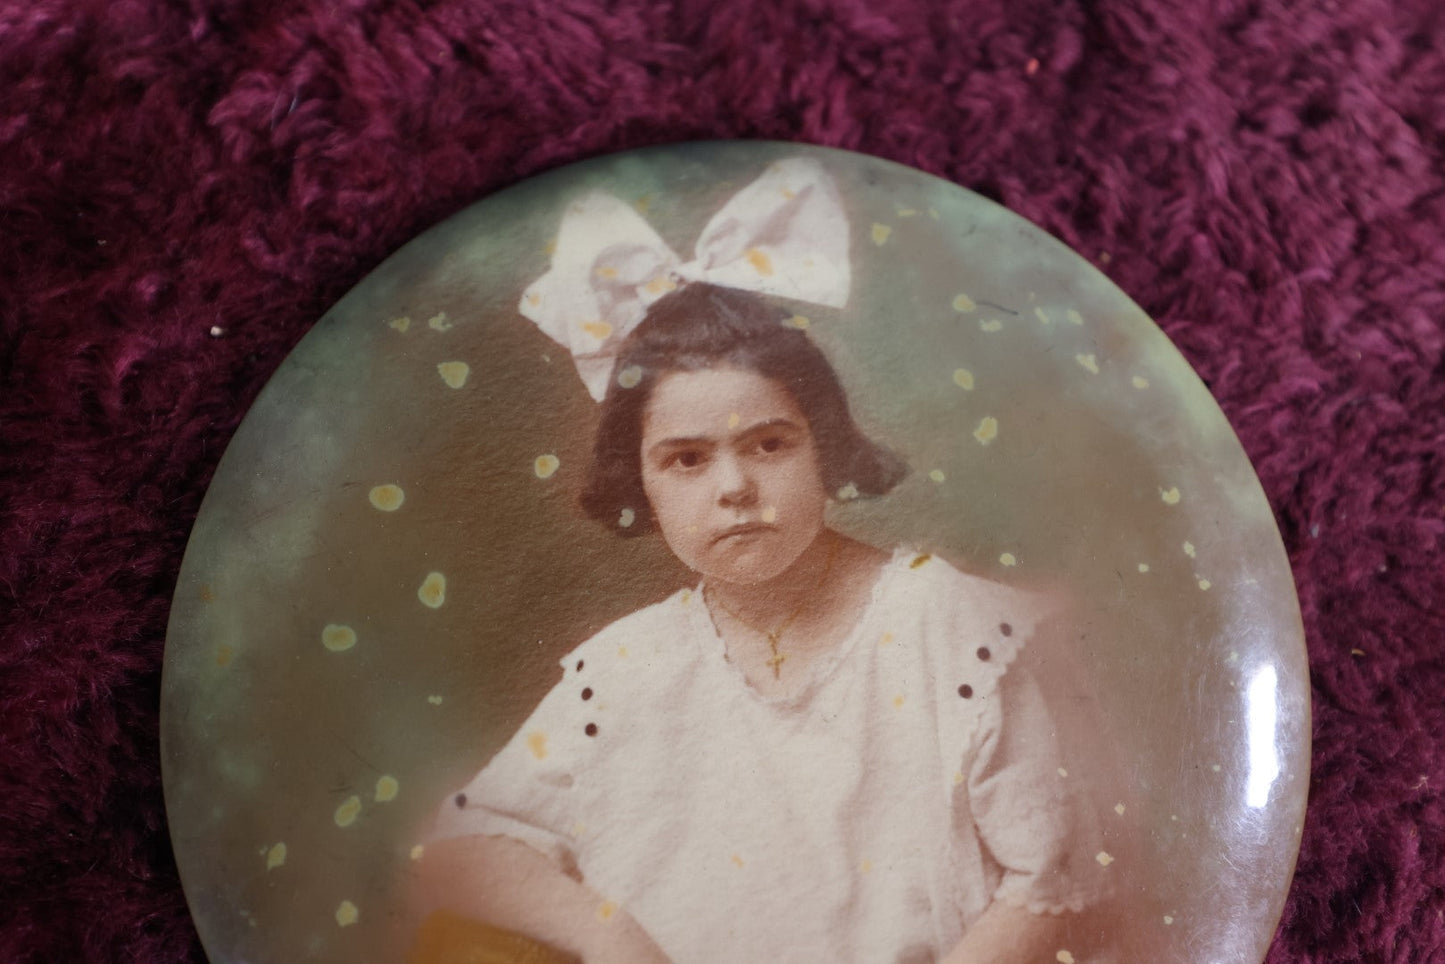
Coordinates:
509 885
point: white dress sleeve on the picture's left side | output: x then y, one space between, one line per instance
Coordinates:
531 788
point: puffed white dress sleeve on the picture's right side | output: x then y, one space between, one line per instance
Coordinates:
1031 814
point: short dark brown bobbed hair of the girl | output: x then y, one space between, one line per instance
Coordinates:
707 327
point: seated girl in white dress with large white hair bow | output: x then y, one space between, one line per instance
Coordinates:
820 749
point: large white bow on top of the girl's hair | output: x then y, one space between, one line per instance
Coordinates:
784 235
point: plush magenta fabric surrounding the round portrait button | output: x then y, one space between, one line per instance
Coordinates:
187 186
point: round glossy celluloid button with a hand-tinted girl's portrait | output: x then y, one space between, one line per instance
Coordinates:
736 553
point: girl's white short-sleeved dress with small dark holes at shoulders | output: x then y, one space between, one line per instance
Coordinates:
874 817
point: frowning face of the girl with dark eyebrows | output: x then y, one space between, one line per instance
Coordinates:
732 472
